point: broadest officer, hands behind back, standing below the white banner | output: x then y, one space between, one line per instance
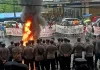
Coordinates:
65 52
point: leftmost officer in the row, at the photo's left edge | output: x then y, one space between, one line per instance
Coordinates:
6 53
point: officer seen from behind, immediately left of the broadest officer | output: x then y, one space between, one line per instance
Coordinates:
50 51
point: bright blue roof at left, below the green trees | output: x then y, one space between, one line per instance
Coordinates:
9 15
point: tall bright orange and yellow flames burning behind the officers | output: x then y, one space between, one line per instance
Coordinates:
28 31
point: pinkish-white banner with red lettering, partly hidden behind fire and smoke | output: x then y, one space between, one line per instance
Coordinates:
46 32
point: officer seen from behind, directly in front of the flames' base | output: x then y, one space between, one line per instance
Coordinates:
29 55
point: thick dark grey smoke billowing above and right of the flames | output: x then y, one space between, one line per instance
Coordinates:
33 8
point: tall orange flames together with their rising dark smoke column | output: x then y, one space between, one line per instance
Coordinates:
32 18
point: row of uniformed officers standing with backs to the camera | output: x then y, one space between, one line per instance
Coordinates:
47 53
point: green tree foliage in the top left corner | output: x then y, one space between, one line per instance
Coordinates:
8 7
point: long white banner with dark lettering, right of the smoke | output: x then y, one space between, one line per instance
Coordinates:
69 29
